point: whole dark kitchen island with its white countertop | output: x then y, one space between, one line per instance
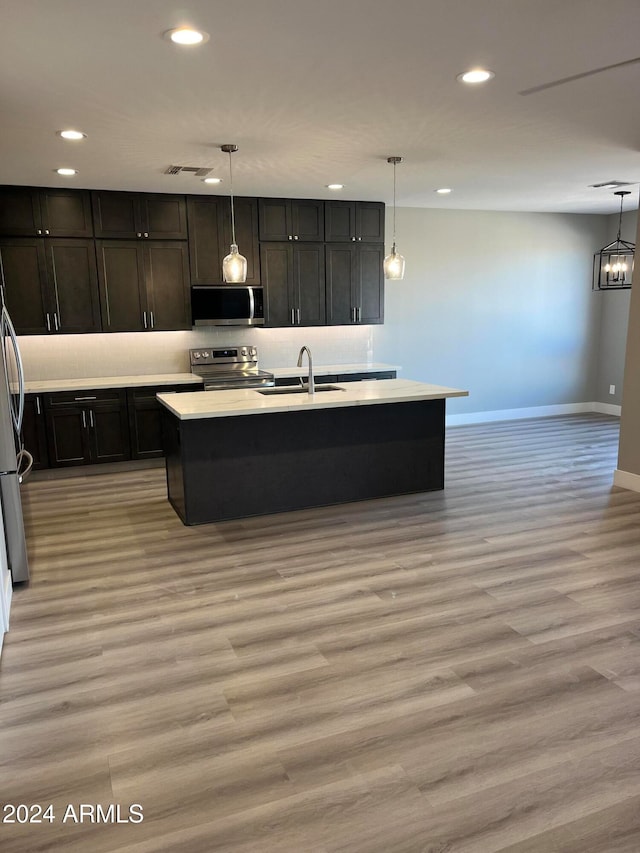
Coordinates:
238 453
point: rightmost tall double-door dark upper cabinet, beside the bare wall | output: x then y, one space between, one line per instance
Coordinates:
355 283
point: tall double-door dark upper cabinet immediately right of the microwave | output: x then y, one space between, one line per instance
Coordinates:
293 277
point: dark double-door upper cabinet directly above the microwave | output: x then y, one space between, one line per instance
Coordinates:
209 219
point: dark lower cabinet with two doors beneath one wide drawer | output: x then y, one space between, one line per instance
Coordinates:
87 427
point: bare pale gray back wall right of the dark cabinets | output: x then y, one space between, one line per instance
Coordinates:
497 303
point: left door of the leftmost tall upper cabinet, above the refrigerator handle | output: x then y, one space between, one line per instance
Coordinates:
24 279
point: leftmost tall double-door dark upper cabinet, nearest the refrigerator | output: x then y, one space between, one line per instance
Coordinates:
51 285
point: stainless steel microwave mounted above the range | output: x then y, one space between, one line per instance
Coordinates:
227 305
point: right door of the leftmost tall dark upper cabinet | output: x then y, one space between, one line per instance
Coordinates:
73 283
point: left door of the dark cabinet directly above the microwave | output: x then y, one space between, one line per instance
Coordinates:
206 238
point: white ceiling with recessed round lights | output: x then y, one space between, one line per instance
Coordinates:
322 91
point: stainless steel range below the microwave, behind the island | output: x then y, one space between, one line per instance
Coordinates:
222 368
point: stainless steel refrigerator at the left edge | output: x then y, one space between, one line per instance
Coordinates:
15 461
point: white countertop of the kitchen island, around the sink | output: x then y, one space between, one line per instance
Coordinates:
223 404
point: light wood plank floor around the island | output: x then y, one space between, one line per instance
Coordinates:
451 672
